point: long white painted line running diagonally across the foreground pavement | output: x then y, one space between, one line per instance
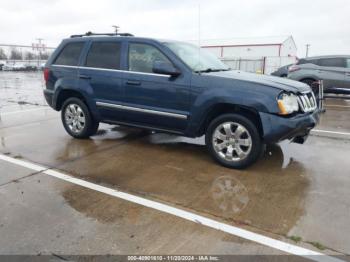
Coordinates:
236 231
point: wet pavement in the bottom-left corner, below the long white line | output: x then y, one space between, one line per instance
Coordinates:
37 218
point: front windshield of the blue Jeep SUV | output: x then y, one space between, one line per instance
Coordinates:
196 58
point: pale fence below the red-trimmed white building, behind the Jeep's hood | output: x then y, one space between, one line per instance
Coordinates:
261 65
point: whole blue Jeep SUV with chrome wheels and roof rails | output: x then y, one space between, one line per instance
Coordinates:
174 87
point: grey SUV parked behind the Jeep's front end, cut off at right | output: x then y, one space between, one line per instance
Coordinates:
334 70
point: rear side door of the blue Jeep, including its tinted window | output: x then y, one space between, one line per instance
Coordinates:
101 74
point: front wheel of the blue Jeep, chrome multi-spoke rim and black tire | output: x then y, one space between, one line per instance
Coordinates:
222 140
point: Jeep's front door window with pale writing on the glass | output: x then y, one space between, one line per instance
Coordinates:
142 57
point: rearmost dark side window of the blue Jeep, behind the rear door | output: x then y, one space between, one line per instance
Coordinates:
70 54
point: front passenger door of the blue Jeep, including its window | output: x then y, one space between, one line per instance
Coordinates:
154 100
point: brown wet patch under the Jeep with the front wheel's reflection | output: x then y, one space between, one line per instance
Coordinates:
269 195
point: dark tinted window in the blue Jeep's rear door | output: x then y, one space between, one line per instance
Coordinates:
104 55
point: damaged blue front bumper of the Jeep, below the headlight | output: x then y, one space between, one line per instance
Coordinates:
277 128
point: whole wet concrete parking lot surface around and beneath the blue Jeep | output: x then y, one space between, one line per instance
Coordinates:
298 194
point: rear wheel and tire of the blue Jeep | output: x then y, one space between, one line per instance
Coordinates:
77 119
